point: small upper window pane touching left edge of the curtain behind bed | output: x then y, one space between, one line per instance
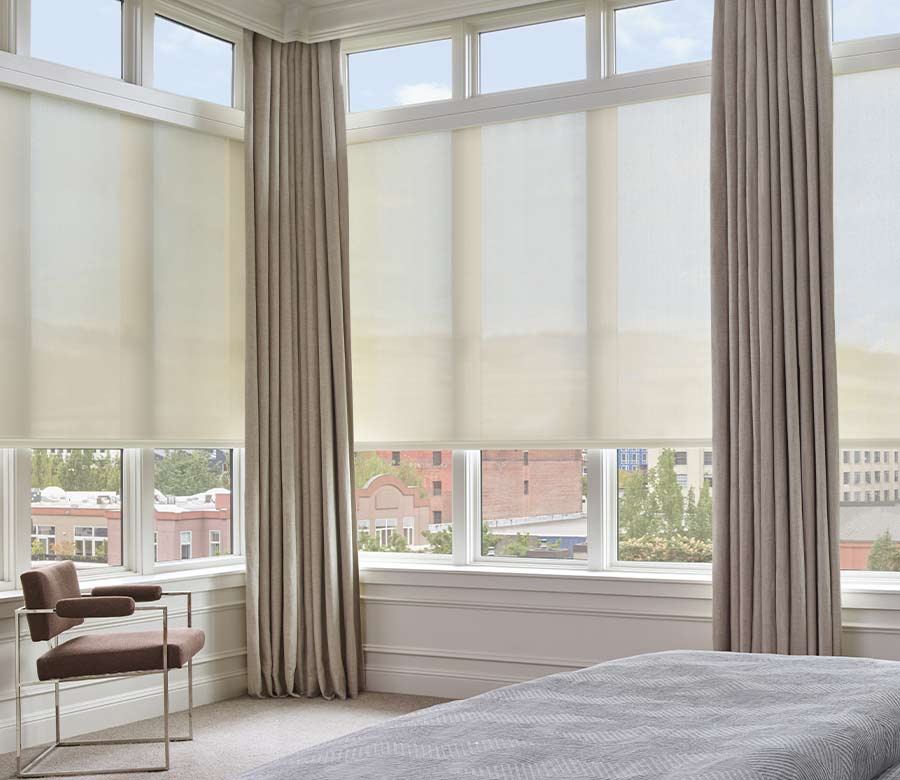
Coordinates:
661 34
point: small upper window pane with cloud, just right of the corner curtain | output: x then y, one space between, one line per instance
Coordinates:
400 76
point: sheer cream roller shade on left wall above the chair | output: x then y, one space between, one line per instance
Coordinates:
121 281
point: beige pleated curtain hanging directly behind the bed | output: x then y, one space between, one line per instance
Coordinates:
776 573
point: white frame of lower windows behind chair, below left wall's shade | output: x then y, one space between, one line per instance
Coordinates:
139 541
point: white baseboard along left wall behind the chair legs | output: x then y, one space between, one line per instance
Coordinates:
123 708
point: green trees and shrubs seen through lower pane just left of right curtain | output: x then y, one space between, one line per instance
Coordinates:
663 518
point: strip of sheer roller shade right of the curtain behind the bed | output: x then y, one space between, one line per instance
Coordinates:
867 253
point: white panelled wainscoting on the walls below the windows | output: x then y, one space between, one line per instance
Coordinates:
438 632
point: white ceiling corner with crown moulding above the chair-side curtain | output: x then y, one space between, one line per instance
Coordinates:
319 20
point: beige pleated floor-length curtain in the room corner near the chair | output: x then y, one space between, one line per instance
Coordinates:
303 620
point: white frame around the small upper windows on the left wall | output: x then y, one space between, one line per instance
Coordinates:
128 94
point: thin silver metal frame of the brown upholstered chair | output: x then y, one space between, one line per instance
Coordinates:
28 770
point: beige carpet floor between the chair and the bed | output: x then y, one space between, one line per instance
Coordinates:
232 736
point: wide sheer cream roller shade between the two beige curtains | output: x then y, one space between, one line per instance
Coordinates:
537 283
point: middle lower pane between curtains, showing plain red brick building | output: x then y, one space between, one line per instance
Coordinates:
548 521
